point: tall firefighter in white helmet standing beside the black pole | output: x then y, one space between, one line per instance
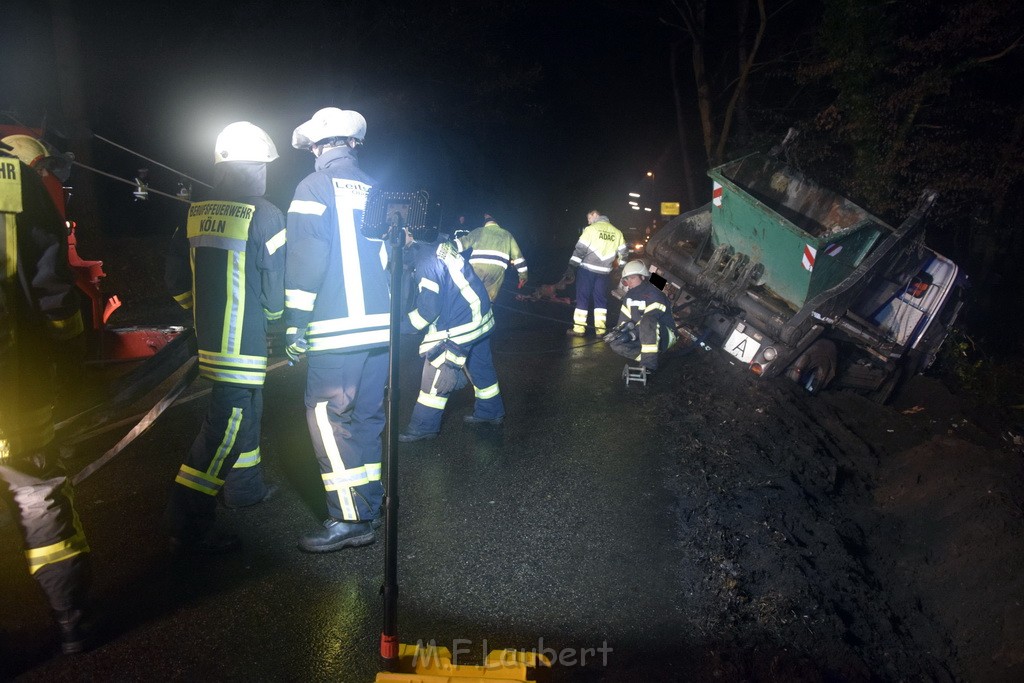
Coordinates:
337 306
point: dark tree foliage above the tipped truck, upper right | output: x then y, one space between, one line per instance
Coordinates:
921 95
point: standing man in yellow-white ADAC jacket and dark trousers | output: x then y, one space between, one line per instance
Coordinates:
600 245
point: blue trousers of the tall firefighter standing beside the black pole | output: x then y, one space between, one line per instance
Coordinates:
346 415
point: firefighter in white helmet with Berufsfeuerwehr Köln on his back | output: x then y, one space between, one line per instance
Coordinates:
229 268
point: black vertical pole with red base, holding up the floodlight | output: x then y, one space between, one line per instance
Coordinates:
390 634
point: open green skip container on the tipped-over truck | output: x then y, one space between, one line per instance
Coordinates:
807 238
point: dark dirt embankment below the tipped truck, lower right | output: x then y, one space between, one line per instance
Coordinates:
833 538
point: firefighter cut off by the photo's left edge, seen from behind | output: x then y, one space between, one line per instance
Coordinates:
39 314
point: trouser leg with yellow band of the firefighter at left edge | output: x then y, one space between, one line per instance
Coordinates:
37 489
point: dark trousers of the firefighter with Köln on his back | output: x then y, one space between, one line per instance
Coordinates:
230 436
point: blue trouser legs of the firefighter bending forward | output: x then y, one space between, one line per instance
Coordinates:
481 368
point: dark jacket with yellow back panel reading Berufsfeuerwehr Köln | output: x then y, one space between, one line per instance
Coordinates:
228 265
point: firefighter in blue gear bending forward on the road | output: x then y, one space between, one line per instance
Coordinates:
453 308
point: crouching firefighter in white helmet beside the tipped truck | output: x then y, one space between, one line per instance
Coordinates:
646 324
